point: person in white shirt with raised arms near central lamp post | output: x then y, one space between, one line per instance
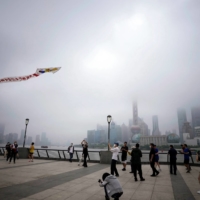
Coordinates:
115 150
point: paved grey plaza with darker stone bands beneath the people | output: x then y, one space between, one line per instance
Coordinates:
60 180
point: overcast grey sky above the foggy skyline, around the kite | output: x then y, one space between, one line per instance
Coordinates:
111 53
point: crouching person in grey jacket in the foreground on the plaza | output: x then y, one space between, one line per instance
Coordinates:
111 186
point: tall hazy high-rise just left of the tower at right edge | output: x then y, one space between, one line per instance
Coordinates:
181 113
